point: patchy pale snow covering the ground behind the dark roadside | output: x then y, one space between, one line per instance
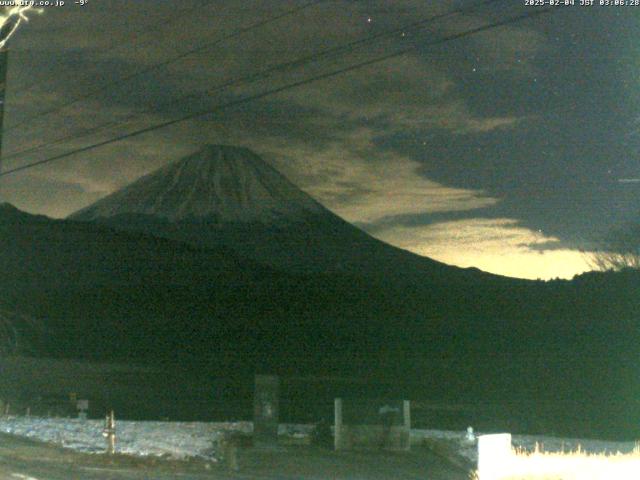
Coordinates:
197 439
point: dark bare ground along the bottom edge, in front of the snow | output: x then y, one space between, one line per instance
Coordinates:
23 459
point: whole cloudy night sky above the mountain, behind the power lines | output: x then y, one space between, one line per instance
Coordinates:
510 150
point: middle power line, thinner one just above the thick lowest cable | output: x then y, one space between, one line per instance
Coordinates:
350 46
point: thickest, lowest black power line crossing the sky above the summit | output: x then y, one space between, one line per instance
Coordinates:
299 83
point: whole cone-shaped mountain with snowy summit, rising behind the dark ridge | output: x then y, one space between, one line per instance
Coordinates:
228 196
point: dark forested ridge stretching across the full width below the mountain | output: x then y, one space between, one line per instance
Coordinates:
103 294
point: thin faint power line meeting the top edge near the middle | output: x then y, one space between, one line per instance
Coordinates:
156 66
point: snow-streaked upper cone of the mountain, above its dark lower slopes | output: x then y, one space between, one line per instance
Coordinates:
229 184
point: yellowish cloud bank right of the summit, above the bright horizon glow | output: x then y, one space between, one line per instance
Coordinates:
364 185
